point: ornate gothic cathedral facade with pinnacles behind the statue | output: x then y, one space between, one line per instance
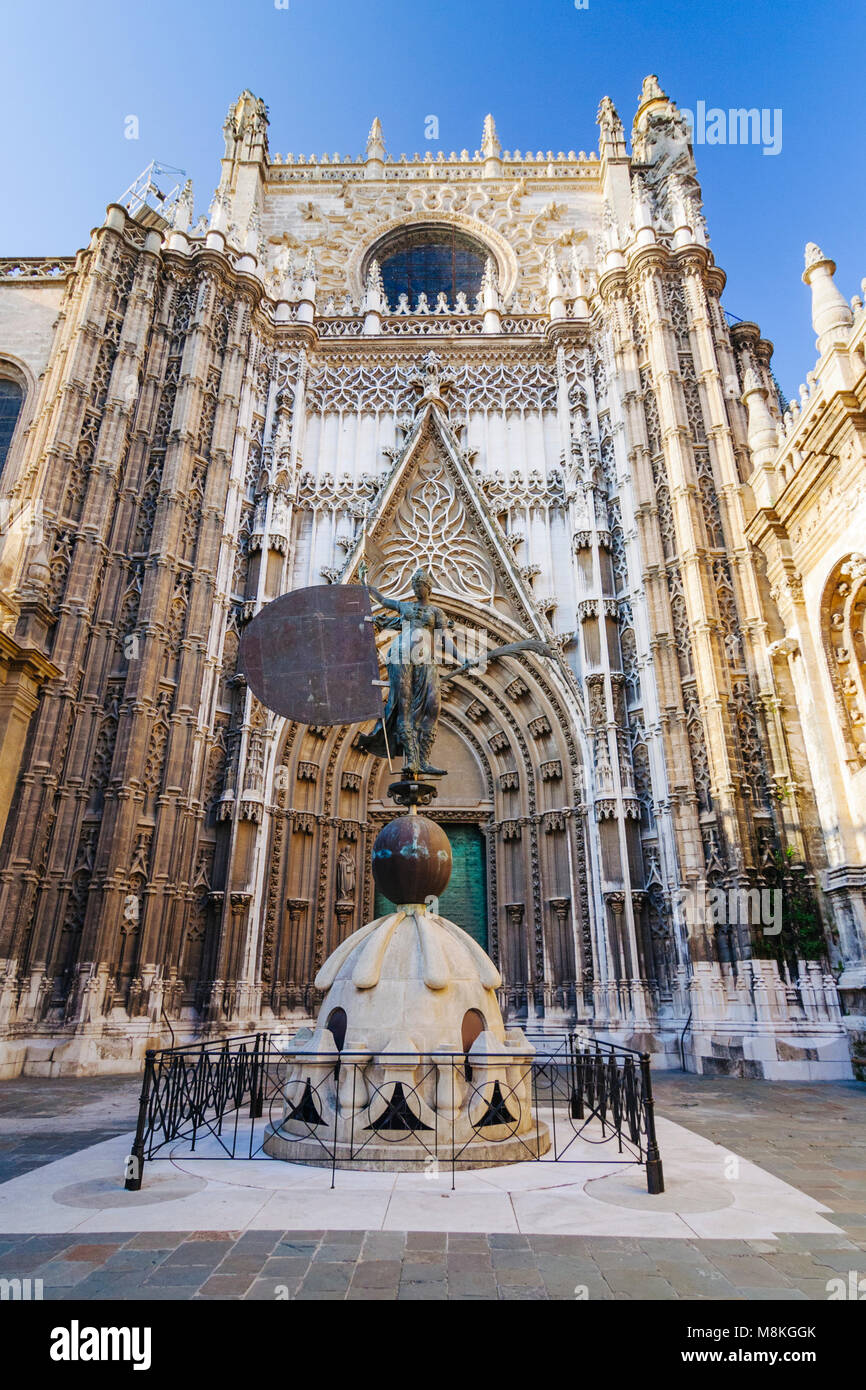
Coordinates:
515 368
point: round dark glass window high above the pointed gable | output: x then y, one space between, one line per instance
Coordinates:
432 262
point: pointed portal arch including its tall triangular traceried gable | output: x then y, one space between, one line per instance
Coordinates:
516 722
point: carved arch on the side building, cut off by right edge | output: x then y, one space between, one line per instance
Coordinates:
843 628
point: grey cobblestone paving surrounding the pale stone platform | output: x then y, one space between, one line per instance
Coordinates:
811 1136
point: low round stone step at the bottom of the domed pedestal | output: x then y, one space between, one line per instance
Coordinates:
407 1156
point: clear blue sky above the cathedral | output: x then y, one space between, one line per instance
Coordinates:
73 72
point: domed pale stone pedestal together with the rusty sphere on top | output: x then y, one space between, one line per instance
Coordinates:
411 1065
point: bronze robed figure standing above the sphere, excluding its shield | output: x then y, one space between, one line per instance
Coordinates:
412 715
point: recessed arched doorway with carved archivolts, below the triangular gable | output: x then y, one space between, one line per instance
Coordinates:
508 804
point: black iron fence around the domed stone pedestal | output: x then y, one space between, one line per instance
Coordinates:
579 1102
